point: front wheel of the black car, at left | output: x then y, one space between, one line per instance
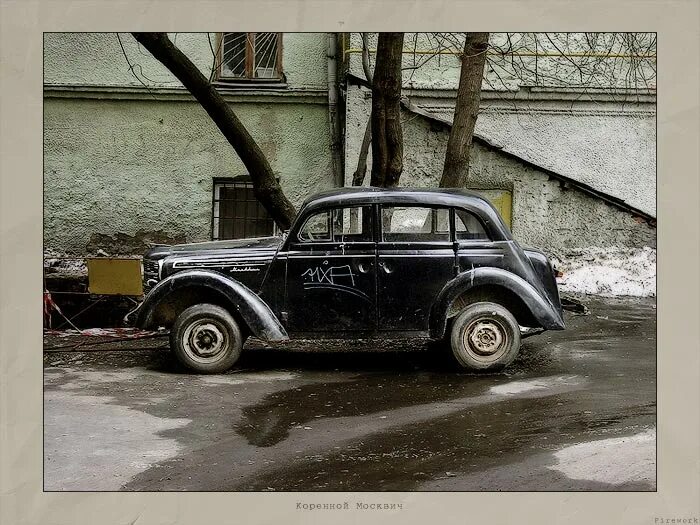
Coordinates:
206 339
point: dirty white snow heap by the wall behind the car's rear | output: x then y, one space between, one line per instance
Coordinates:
609 272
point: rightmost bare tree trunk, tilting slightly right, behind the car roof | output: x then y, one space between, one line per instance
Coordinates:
456 168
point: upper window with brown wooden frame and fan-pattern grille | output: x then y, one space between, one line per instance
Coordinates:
251 56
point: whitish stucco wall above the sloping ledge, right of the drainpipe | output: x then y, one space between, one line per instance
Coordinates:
597 133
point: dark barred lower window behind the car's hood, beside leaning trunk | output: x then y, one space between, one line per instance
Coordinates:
236 213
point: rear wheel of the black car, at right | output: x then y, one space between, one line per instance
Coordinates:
485 337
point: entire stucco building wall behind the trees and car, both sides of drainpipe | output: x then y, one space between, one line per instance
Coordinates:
124 166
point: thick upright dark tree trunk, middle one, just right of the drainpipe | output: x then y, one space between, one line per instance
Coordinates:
387 137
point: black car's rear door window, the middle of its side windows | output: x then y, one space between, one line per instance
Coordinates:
415 224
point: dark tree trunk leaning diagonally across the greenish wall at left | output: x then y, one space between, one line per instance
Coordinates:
267 189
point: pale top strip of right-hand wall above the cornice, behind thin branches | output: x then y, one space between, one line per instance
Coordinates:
423 68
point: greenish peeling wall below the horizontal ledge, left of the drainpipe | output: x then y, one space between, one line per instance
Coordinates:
140 168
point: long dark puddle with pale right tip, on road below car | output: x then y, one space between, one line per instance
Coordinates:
385 401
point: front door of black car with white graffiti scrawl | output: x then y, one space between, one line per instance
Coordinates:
331 273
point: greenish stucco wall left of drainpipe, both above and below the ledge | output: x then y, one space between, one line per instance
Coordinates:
124 166
